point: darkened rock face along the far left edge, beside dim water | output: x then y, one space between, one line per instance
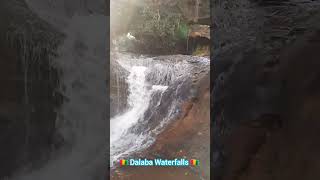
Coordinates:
28 93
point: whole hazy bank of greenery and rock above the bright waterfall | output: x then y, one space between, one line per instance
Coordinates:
159 26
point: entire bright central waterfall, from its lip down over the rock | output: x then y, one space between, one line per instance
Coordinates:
156 86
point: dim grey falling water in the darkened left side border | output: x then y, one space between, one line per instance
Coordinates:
82 117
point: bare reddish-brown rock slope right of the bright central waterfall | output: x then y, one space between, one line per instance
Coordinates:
189 135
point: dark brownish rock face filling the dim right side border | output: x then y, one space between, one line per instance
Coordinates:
263 53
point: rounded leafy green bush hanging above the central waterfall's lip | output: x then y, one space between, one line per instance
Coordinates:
163 25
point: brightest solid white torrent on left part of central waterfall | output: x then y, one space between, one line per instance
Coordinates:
121 141
